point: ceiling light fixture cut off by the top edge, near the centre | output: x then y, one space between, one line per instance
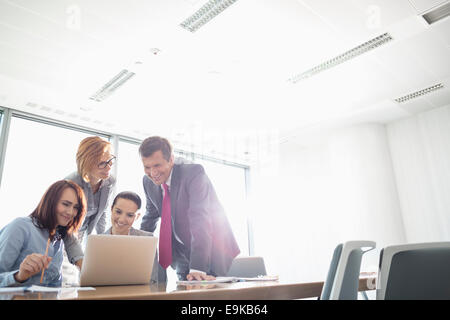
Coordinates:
208 11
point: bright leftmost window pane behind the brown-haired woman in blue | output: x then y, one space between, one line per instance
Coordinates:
37 155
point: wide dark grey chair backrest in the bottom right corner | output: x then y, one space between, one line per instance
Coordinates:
414 272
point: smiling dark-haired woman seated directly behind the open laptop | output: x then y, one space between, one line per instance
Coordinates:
123 214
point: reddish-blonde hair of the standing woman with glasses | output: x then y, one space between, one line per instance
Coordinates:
89 154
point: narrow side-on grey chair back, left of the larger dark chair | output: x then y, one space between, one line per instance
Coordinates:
343 275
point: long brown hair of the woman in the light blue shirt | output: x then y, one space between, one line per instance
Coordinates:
44 216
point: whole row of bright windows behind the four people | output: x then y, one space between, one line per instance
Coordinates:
40 152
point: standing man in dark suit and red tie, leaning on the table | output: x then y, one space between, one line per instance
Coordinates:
195 236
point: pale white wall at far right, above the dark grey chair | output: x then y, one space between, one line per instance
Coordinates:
420 148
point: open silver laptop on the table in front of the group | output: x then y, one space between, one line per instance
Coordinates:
118 260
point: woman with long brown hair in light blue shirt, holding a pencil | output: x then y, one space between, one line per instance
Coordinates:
33 243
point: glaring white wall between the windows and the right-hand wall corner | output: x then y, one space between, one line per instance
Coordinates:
314 197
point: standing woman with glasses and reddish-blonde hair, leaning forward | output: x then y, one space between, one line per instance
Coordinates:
94 161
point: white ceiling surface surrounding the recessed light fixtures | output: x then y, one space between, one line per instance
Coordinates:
222 90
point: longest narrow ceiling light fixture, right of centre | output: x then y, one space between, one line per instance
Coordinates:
363 48
